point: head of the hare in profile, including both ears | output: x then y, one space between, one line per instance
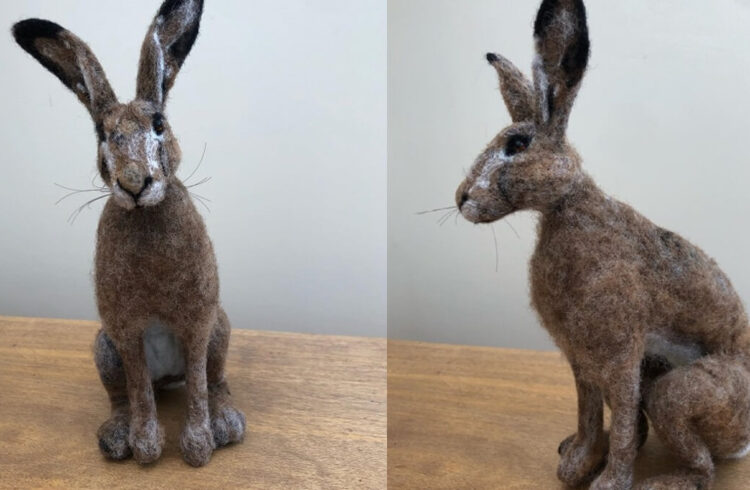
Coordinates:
529 164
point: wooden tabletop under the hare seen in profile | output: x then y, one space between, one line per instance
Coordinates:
473 417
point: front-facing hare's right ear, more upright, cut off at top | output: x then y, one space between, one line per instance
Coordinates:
167 44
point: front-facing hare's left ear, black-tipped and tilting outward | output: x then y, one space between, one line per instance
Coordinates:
70 60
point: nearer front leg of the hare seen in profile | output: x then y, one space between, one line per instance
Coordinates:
623 389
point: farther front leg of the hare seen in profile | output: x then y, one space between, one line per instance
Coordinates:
582 454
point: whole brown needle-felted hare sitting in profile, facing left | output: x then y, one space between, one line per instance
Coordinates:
648 321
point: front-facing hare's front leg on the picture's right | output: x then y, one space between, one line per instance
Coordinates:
197 440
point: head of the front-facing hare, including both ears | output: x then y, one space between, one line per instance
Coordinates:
138 154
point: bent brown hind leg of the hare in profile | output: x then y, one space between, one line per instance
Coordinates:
700 411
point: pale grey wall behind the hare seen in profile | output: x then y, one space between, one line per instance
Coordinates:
661 122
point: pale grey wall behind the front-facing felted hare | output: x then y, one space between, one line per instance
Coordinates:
289 98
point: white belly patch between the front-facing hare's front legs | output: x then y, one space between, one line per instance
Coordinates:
164 355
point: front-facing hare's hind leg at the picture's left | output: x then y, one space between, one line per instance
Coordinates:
113 433
